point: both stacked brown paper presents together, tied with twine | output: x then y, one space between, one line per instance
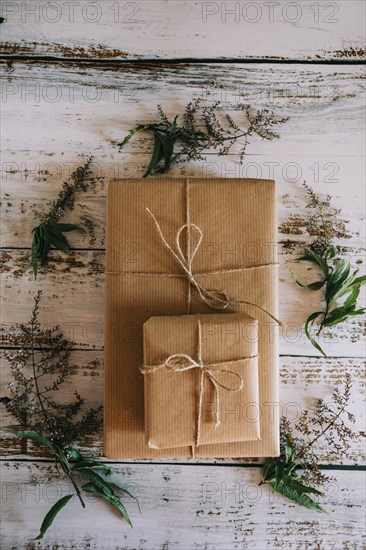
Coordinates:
191 329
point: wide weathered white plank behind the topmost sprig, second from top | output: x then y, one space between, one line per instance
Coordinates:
331 161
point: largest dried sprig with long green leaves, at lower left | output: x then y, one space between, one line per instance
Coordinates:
39 368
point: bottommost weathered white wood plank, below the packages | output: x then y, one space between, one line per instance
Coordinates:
205 508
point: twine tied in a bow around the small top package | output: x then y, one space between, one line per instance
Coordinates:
180 362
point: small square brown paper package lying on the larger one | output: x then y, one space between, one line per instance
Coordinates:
200 380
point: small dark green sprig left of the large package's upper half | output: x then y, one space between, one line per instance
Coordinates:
50 232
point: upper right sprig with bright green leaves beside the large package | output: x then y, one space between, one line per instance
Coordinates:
338 282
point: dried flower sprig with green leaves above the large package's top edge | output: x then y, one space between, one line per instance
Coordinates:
204 127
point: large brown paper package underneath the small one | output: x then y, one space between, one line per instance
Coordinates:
237 255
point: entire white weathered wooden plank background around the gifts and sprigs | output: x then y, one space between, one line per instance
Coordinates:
75 77
